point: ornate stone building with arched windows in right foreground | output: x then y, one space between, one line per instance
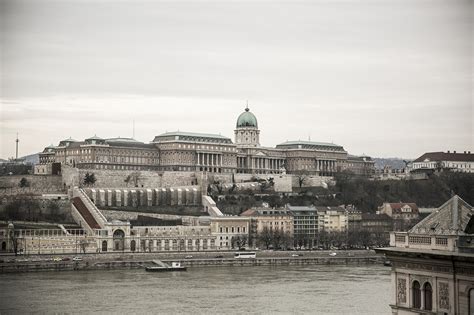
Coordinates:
433 263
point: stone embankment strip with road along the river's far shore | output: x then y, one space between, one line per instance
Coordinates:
35 263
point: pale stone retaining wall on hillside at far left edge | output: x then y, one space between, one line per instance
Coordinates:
36 184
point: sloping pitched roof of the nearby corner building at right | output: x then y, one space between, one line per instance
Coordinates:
454 217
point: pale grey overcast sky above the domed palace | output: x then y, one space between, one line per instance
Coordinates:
383 77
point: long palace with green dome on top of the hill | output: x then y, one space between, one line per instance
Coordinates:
188 151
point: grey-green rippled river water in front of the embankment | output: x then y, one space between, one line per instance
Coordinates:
317 289
